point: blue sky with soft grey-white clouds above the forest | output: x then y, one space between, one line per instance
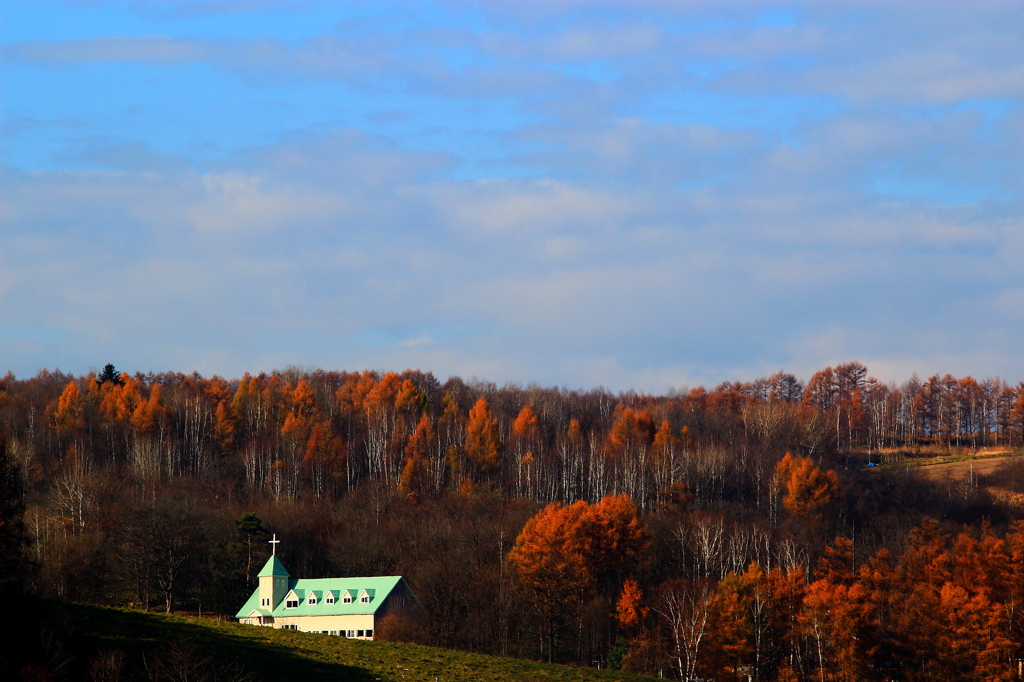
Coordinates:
635 195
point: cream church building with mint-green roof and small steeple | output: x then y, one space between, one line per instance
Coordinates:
343 607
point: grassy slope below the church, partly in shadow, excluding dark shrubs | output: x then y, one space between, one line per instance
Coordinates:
279 655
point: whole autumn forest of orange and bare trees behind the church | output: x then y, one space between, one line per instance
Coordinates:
770 530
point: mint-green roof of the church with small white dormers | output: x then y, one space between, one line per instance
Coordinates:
377 588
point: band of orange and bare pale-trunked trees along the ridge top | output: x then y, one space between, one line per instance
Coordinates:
297 434
